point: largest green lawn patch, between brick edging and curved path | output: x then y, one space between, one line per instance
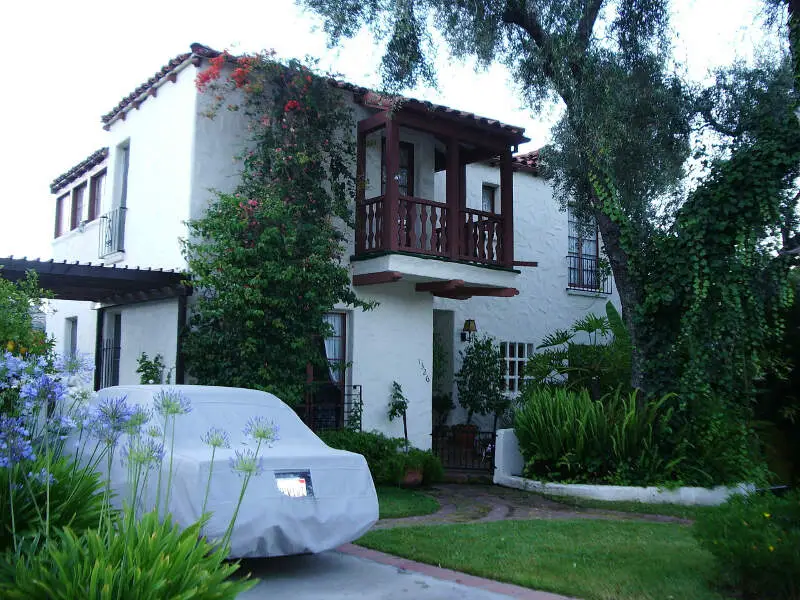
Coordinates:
586 558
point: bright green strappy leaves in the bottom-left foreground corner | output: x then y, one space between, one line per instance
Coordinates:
144 559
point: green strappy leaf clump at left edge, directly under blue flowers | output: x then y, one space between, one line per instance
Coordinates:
75 498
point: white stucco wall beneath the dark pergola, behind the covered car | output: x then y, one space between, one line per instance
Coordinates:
149 327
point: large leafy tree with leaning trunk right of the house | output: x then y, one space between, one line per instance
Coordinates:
620 148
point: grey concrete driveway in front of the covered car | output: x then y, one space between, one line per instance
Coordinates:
356 573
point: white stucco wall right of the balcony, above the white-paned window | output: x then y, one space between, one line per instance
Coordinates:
543 304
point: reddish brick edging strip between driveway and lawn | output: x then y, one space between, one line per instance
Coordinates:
513 591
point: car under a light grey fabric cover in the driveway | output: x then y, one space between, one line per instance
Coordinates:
308 498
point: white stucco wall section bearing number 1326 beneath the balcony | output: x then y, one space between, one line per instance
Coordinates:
392 343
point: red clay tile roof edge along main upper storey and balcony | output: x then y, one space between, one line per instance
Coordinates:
201 51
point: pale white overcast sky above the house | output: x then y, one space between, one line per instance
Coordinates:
67 63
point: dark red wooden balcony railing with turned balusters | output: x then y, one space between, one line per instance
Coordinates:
423 227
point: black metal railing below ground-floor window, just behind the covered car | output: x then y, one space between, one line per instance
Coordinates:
331 406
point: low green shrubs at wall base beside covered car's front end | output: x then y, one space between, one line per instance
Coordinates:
387 461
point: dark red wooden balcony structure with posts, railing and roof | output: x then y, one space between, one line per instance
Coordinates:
392 222
